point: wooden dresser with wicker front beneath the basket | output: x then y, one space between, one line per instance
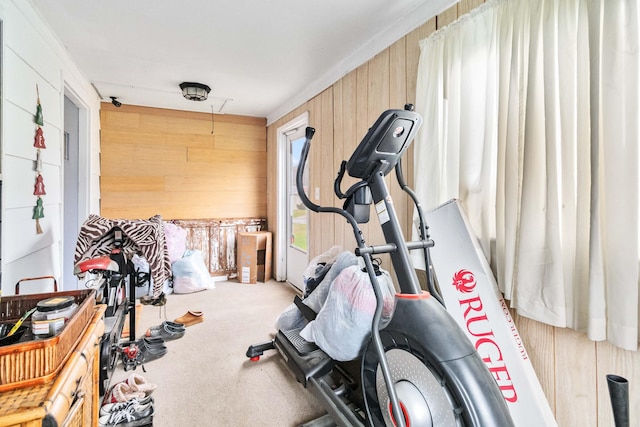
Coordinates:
71 398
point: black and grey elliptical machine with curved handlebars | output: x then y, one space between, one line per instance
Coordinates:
420 369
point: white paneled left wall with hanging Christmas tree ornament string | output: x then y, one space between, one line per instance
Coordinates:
32 55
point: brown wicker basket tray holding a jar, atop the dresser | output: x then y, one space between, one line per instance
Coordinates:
37 361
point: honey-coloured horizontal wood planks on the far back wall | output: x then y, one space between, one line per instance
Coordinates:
181 165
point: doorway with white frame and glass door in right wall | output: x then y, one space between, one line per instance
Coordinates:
293 217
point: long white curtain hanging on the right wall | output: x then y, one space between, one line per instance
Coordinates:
531 119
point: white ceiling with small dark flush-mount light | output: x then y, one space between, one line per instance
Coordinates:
260 58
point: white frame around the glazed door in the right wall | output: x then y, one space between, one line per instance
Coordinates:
283 194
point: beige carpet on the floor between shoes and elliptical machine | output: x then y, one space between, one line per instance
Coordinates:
205 378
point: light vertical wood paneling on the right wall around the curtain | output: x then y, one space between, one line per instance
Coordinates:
570 367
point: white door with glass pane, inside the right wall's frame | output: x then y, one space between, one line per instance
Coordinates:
298 219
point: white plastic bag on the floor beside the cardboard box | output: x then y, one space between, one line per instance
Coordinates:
190 274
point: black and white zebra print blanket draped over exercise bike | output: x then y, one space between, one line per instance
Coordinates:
145 237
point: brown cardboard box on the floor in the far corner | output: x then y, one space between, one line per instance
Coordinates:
254 256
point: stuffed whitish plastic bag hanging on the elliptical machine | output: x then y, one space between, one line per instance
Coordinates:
344 323
